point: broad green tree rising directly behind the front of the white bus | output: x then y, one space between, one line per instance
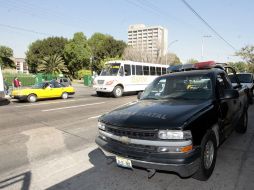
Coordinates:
104 46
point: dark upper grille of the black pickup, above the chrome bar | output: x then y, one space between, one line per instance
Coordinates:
133 133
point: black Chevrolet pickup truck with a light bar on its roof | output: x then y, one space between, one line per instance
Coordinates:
178 123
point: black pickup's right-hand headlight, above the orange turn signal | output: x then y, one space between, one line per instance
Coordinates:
174 134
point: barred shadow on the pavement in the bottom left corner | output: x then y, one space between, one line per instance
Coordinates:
22 180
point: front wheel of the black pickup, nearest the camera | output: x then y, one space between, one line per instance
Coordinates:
206 168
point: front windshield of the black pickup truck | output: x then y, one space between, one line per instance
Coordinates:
180 87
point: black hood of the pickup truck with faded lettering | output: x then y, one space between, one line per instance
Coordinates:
156 114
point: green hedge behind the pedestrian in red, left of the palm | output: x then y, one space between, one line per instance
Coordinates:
26 79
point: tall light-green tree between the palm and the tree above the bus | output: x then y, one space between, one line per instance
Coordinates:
77 53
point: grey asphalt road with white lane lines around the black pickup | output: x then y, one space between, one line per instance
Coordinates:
50 145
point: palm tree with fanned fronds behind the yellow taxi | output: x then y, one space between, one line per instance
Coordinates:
52 64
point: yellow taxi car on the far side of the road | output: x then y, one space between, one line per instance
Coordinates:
44 90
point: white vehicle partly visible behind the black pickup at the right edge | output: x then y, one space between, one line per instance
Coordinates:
247 80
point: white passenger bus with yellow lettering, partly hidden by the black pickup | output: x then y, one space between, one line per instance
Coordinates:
126 76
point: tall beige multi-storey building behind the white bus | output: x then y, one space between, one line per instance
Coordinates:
152 40
